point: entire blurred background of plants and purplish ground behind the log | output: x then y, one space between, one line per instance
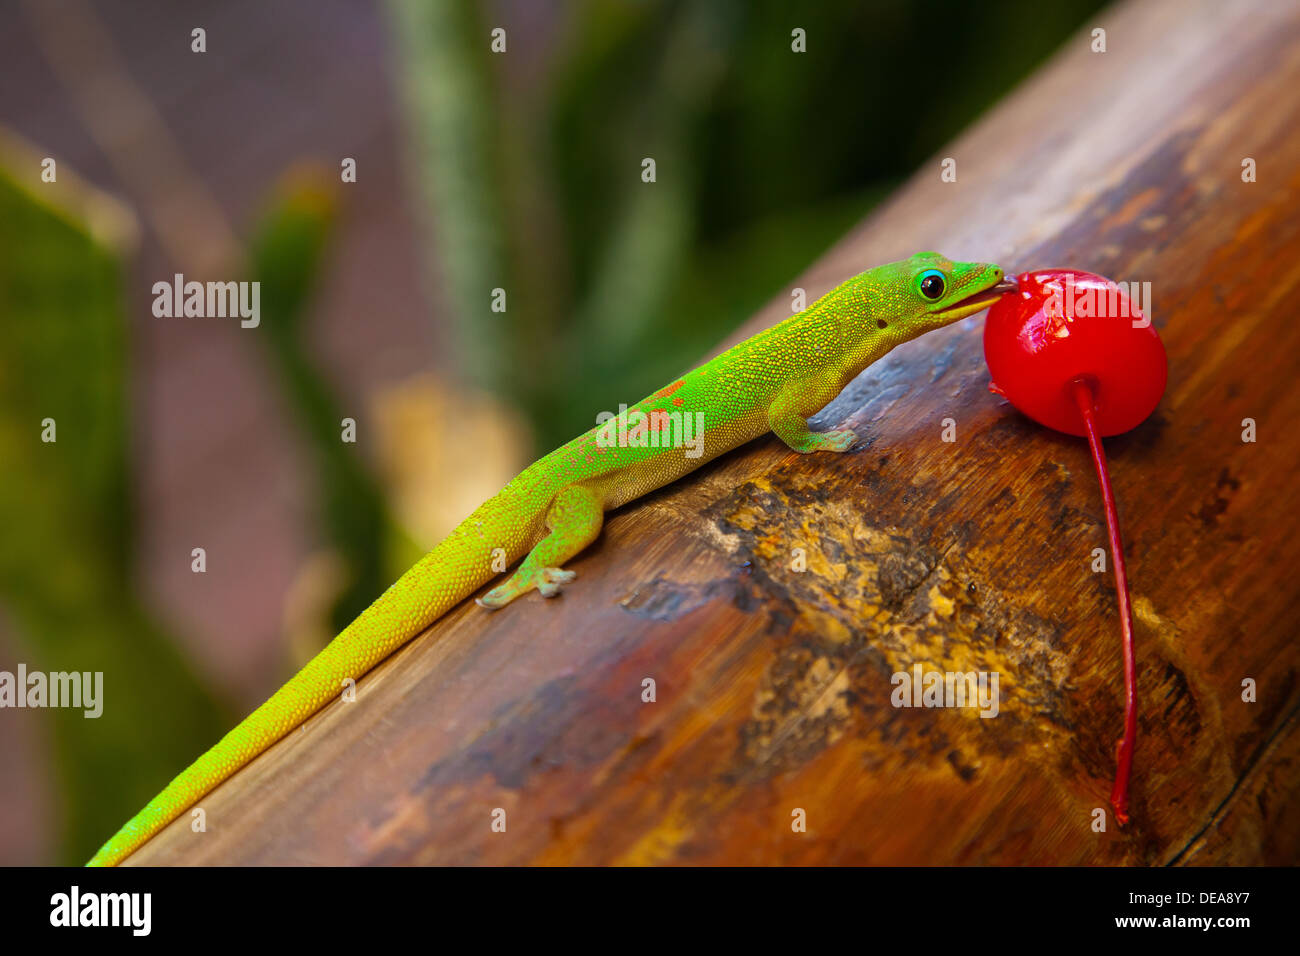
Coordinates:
475 171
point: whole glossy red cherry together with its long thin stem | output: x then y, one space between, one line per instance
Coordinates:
1071 351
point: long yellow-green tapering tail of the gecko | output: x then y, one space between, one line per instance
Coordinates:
439 582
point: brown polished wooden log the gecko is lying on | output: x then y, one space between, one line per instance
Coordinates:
774 686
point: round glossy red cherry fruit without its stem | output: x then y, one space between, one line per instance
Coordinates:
1067 326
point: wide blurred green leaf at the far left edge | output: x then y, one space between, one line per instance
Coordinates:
66 551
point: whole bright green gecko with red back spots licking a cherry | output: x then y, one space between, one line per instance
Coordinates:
556 508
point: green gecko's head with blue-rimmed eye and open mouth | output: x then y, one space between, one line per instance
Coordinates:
938 292
